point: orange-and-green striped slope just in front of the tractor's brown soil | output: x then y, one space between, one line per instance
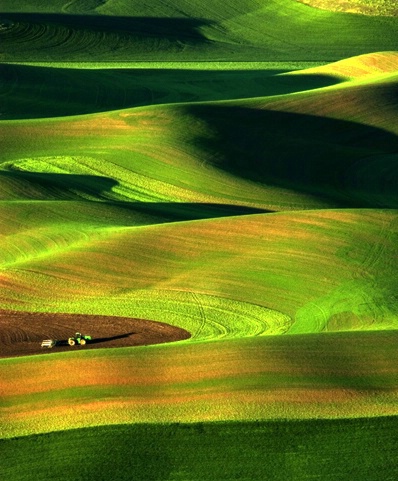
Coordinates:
334 376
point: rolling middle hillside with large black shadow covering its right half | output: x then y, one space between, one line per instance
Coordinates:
231 152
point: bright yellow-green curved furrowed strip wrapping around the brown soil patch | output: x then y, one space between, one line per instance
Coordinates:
217 318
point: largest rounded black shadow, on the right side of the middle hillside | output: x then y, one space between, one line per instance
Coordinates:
313 154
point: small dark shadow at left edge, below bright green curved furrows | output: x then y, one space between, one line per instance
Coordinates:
48 186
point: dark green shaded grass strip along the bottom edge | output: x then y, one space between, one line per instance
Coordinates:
325 450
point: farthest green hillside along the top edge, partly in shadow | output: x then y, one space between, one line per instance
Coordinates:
276 30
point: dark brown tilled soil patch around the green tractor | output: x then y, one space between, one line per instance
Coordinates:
21 333
